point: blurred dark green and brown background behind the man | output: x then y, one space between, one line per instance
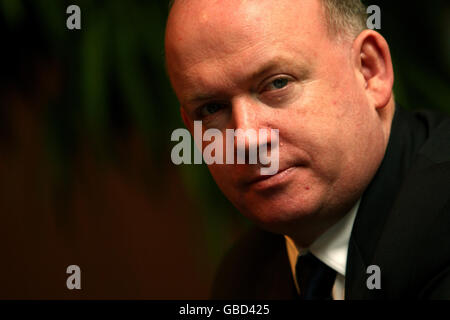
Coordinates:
85 171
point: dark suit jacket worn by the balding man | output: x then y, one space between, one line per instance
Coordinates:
402 226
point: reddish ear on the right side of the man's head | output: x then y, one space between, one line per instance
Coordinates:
373 64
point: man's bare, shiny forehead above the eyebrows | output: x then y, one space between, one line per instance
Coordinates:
203 36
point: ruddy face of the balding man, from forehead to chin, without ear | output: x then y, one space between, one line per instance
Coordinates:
271 64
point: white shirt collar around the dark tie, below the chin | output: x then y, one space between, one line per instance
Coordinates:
331 247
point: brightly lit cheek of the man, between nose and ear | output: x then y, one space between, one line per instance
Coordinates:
326 129
